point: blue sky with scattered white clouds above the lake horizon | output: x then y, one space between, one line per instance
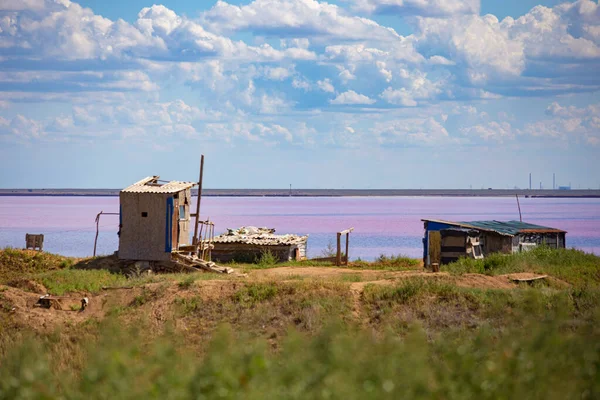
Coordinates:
339 94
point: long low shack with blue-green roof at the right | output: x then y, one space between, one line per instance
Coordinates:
475 238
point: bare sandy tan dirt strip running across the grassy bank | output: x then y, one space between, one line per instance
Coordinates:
164 293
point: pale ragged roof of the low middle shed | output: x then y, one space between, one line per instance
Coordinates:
259 236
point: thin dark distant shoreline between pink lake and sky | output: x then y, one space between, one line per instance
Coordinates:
576 193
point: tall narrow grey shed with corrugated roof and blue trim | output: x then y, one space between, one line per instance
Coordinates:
154 219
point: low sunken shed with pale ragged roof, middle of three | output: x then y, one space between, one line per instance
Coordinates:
246 244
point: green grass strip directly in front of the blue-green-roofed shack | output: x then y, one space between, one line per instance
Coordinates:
570 265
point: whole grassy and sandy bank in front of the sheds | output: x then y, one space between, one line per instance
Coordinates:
372 330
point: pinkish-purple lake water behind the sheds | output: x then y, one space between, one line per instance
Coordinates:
383 225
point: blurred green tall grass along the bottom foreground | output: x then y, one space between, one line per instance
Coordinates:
538 361
